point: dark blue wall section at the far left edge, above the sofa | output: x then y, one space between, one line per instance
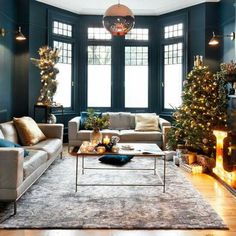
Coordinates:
7 51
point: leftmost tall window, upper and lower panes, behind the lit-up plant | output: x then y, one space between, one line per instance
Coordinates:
64 77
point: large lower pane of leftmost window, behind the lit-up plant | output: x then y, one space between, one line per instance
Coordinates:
64 77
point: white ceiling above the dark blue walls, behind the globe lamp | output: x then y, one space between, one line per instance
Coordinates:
139 7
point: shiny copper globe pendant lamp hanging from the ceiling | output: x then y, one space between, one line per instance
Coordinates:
118 19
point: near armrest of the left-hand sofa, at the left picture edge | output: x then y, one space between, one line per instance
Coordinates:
11 167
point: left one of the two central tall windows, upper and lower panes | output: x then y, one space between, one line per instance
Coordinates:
99 69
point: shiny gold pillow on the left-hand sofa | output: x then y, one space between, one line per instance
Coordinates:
28 131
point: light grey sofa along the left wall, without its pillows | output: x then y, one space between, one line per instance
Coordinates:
18 173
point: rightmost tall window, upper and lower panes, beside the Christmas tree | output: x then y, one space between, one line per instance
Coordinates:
173 65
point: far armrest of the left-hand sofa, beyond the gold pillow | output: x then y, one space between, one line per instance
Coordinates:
52 130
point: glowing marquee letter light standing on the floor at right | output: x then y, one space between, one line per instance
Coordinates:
228 177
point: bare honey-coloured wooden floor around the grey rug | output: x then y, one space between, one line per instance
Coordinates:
221 200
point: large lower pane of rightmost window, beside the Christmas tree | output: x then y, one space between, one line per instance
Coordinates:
173 74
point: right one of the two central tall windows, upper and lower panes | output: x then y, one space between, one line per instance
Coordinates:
136 70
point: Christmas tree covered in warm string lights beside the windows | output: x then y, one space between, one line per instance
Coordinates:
204 103
